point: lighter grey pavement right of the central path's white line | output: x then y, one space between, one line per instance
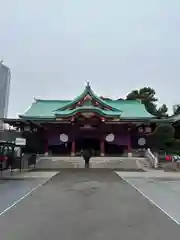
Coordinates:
160 188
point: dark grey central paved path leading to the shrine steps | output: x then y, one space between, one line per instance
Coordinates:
88 204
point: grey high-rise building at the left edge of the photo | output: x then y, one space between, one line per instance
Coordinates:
5 78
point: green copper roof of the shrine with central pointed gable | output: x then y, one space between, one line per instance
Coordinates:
50 109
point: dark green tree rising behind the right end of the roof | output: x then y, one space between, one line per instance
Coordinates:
148 98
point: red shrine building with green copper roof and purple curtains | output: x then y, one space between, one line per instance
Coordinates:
65 127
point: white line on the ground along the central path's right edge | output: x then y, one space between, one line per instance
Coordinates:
148 198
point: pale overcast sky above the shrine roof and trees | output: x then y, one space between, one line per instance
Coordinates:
53 46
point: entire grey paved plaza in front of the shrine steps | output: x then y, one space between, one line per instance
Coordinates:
89 204
